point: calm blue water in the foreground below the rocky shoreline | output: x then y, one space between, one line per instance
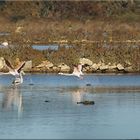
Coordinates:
45 106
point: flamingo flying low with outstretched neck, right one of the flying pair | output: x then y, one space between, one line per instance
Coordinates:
77 71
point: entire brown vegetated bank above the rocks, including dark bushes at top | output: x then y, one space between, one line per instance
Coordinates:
108 31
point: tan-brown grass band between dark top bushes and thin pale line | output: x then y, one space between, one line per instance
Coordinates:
43 31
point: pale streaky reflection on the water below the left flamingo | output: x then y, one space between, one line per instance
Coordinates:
12 99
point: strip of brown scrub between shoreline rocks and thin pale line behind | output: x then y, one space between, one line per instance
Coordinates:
107 53
